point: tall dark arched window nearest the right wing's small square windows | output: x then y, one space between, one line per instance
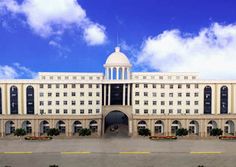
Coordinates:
207 100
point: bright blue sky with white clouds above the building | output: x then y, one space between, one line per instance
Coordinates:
79 36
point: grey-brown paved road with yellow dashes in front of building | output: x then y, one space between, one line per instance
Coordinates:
117 152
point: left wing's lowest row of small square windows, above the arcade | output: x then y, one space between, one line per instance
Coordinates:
66 111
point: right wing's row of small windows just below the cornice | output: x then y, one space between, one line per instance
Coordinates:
171 86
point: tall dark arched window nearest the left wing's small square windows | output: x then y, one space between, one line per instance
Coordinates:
30 100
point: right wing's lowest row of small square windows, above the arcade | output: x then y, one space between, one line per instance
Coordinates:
163 111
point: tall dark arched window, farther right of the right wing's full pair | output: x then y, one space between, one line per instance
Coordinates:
224 100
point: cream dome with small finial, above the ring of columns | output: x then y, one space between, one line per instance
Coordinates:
117 58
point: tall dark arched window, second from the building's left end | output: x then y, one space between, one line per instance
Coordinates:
14 100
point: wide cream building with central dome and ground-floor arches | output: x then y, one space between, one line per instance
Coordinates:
162 102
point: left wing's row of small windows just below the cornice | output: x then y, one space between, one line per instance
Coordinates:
65 86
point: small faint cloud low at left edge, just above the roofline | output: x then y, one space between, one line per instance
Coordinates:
16 71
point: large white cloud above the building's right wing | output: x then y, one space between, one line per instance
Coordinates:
212 52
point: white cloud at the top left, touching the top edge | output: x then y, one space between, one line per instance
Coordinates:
53 17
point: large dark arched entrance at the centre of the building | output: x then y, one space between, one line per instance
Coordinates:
116 124
